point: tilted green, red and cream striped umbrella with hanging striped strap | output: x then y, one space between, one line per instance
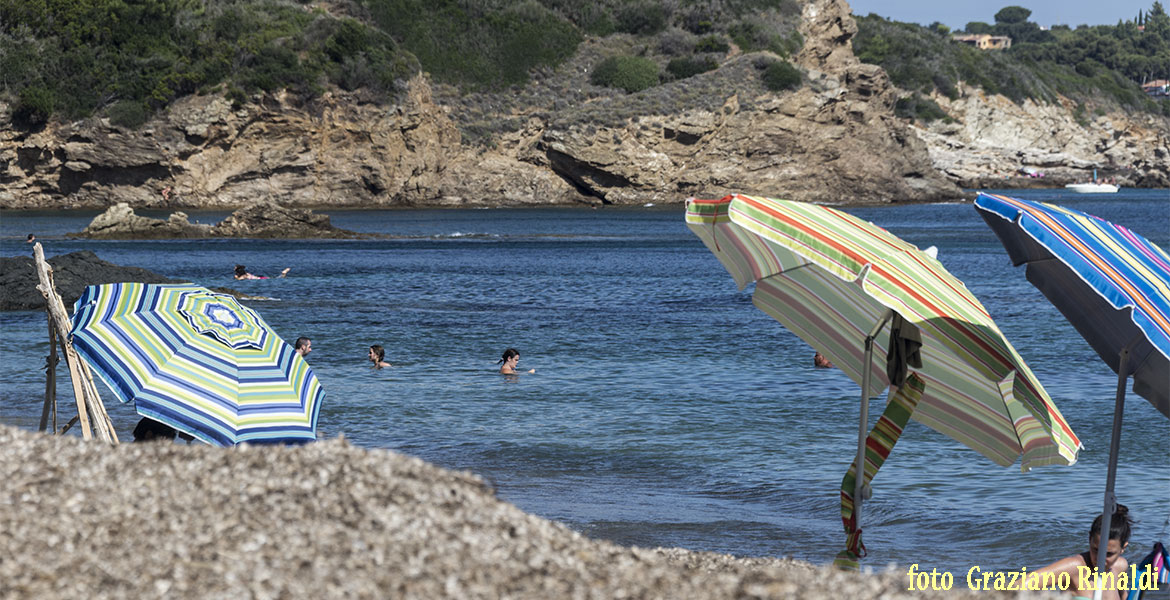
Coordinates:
886 313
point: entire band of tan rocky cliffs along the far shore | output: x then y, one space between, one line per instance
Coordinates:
835 140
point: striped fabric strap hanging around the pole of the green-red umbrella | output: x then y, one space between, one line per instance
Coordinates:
879 444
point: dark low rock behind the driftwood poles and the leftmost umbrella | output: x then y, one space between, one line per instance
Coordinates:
72 273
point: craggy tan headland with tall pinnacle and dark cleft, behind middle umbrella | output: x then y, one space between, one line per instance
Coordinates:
834 141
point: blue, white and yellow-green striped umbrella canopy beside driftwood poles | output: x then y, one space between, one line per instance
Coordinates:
199 362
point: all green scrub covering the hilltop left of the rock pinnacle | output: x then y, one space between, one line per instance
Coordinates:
73 59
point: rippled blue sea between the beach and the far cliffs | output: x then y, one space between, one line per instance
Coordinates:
666 410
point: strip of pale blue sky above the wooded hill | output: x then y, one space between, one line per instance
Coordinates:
1045 13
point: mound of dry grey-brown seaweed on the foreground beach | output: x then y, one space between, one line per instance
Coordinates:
329 521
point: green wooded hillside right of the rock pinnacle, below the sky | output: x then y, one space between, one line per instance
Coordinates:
1097 66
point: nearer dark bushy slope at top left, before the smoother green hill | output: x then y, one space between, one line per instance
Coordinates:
72 59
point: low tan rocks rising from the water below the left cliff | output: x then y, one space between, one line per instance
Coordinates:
259 219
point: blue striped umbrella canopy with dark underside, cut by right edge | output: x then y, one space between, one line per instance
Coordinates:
1111 284
